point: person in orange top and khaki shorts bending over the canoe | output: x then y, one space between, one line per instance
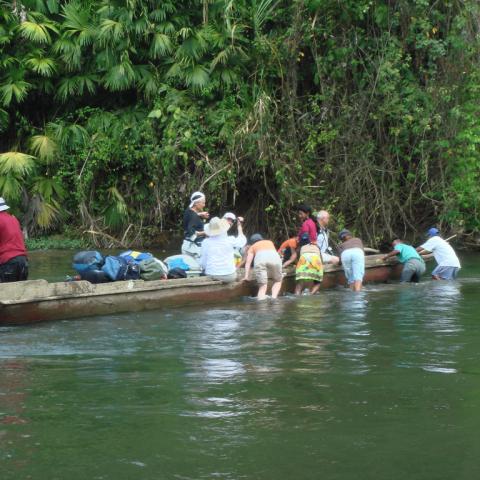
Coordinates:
268 265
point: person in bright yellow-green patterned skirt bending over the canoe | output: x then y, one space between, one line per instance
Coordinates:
309 271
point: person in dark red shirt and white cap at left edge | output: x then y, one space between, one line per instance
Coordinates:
13 254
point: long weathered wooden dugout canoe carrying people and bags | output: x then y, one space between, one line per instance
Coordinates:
38 300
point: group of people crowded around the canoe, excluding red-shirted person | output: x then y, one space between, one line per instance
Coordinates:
220 253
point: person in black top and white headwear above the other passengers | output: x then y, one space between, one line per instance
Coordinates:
193 227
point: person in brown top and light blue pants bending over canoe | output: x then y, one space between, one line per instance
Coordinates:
352 257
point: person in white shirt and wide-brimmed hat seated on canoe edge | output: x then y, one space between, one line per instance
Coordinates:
217 259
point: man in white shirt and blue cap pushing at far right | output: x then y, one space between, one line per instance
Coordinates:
448 263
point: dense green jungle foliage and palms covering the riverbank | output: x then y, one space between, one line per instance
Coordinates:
113 112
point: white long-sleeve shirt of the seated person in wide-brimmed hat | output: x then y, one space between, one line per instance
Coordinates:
217 255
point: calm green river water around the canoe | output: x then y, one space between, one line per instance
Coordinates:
384 384
